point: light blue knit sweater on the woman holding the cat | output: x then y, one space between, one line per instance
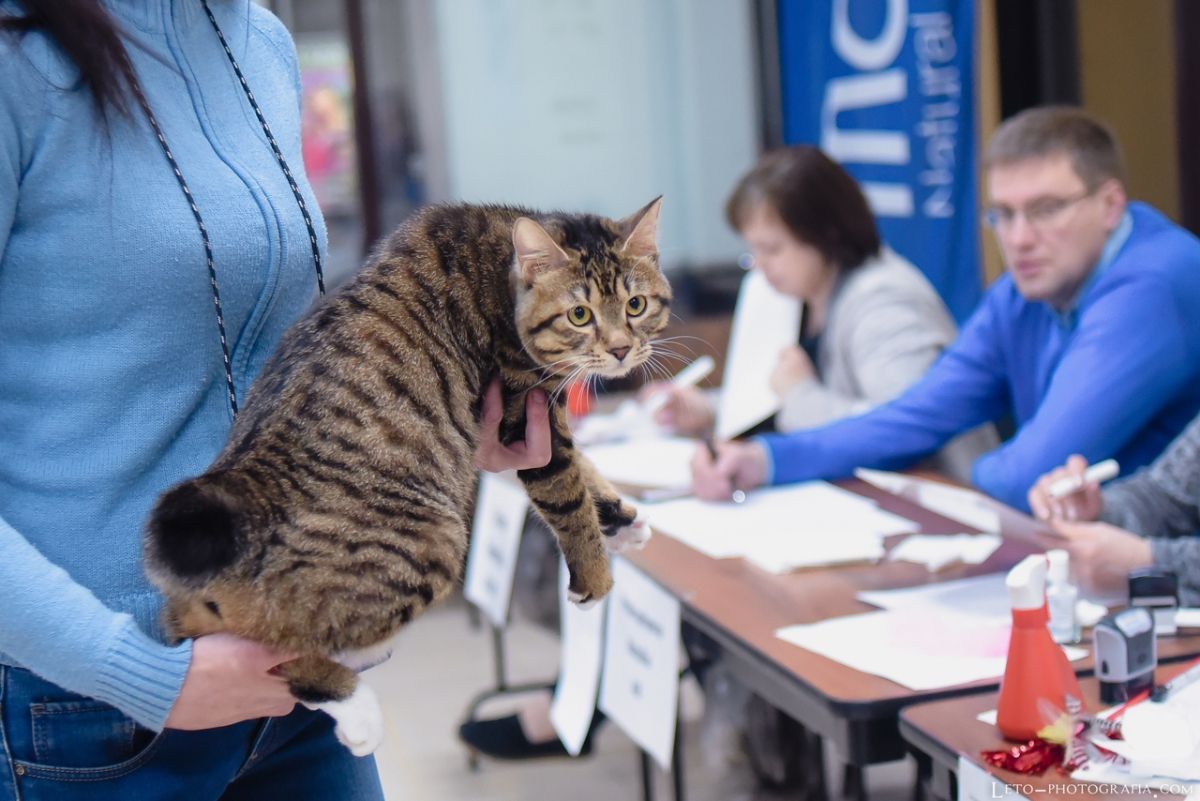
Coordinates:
112 387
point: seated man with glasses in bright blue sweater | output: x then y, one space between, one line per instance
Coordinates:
1090 344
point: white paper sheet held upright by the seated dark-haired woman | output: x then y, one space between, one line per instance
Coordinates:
765 322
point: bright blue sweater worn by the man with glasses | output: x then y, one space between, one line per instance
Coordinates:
1117 377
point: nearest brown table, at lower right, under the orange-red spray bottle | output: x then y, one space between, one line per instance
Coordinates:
943 731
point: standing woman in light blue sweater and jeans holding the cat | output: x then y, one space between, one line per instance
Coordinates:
158 236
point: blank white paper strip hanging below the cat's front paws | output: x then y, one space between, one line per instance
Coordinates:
579 672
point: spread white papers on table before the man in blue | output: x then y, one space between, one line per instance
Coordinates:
783 528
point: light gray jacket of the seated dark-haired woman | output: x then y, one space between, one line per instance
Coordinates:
886 327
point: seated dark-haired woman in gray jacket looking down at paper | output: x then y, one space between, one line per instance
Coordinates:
872 324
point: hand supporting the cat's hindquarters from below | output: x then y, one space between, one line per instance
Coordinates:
231 679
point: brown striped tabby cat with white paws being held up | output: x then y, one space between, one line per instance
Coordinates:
341 505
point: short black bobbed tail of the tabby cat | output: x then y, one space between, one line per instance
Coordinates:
196 531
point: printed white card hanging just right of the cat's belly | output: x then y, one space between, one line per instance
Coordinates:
495 539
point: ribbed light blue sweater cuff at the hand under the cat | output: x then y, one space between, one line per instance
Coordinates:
142 677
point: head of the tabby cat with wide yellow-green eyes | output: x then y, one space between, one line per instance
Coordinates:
591 297
